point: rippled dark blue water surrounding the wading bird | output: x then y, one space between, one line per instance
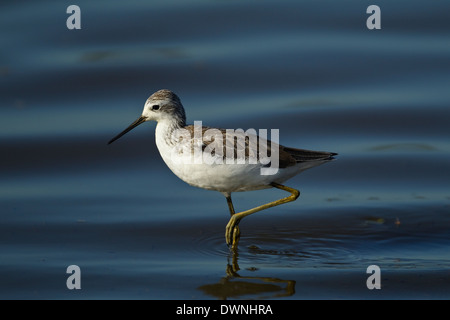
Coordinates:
312 70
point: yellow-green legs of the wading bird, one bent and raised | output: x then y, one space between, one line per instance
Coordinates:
232 232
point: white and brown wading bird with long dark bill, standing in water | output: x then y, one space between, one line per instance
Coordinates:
179 144
